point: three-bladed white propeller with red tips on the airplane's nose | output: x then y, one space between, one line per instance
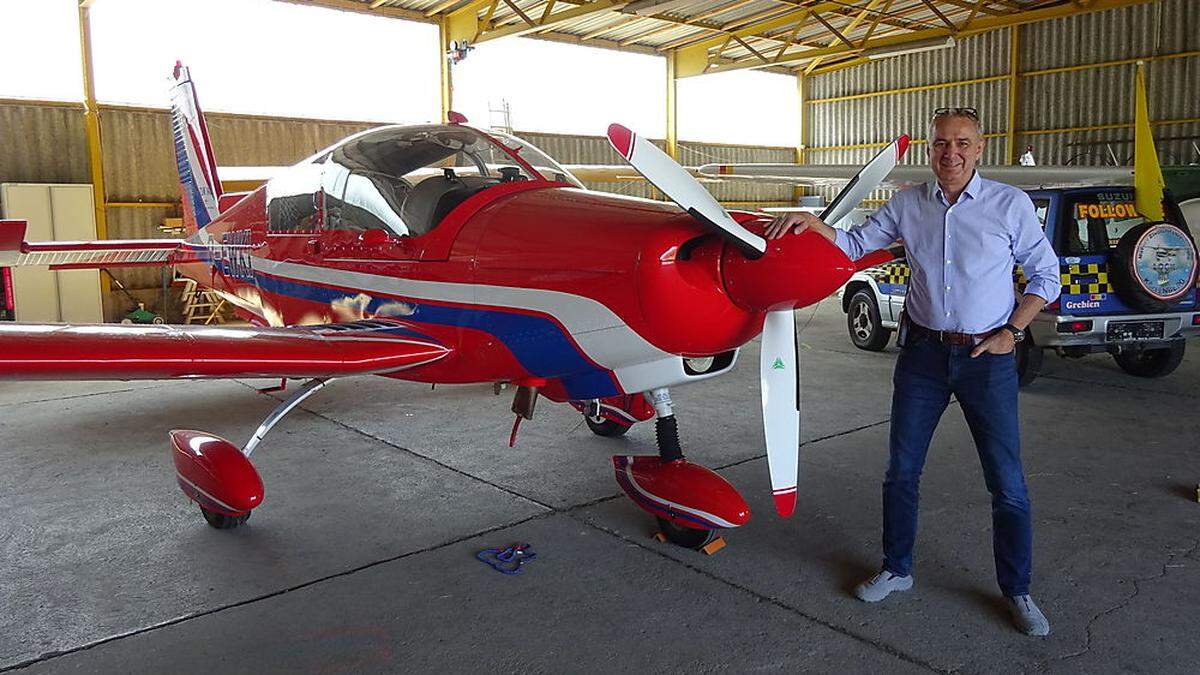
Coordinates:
779 366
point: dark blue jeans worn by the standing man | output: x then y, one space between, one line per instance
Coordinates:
927 373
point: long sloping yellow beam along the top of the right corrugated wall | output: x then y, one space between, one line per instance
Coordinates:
981 25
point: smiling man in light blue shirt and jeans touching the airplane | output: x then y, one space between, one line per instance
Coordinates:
963 320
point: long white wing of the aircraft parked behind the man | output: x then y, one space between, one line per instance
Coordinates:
911 175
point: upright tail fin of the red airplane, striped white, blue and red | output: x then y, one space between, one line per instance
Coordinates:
200 186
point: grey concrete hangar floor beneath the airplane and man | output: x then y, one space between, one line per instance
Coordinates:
380 493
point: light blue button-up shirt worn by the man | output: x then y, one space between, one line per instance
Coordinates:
962 255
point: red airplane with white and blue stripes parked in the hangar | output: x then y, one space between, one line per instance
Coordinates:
449 255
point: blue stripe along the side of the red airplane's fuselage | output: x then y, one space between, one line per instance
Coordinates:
538 344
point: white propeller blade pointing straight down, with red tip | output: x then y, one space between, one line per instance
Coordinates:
779 369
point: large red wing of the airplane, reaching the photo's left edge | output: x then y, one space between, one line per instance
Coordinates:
166 353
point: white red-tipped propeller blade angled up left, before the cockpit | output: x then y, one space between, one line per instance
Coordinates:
675 182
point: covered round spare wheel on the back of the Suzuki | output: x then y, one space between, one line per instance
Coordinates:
1155 267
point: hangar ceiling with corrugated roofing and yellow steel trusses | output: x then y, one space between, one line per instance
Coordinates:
721 35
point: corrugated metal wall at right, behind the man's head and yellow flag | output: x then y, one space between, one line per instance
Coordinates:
1046 101
